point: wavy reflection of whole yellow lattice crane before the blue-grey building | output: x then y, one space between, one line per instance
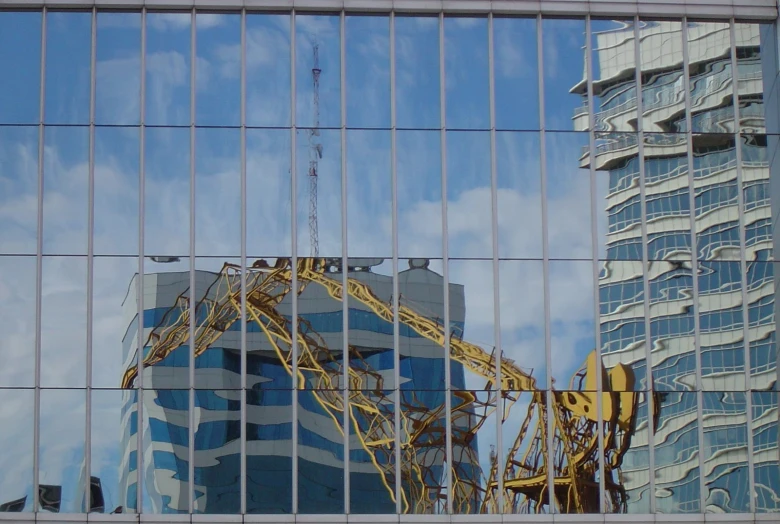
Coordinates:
525 472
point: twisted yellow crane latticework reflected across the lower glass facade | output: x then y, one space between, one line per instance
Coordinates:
575 437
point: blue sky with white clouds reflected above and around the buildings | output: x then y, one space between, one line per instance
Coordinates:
217 189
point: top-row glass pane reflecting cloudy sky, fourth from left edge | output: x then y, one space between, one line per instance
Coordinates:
168 63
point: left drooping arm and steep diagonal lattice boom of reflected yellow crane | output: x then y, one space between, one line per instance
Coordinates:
373 428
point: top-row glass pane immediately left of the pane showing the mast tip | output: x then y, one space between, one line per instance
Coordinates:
267 70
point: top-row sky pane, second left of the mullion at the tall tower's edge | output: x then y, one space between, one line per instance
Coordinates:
516 73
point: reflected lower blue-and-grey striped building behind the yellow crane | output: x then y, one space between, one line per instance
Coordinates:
269 445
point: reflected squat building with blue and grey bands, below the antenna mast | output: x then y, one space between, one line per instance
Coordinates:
269 444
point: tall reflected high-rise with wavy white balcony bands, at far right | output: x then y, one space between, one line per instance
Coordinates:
661 206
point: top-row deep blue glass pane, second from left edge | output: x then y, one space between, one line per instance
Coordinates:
68 57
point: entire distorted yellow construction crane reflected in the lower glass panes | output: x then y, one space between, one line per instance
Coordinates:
525 471
